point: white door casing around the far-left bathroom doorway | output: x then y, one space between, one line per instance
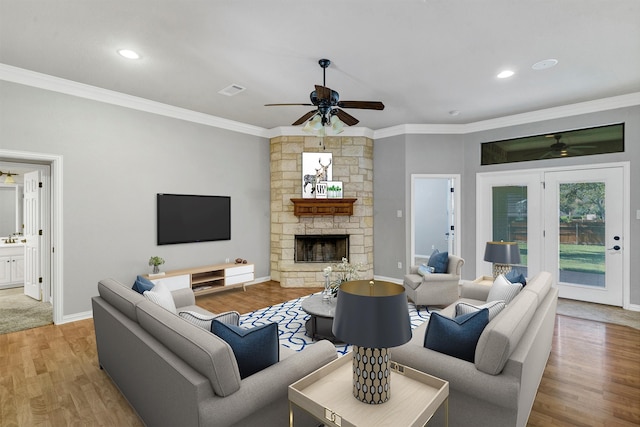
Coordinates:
52 250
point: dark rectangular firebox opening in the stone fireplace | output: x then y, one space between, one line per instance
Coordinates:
321 247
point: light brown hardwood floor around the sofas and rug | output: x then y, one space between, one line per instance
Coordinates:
49 376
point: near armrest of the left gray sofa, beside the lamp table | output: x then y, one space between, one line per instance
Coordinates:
268 386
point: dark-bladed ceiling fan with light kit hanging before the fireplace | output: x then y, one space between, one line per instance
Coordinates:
328 105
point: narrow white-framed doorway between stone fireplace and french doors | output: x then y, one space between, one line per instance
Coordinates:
434 220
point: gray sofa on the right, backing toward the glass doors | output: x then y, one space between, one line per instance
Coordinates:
499 388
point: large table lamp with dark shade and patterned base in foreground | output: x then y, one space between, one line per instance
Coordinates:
373 316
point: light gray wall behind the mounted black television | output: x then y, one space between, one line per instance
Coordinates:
115 160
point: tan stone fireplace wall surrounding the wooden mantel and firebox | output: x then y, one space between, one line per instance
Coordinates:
353 165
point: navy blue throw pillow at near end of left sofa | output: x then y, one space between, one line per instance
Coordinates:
255 349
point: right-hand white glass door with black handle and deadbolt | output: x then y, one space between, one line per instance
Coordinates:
584 240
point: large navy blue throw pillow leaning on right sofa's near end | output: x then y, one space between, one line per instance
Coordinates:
456 337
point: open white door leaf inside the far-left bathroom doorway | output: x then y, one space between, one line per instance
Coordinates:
32 285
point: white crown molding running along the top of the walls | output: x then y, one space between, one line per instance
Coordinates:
69 87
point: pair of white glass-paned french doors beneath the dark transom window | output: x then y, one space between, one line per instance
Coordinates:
568 222
